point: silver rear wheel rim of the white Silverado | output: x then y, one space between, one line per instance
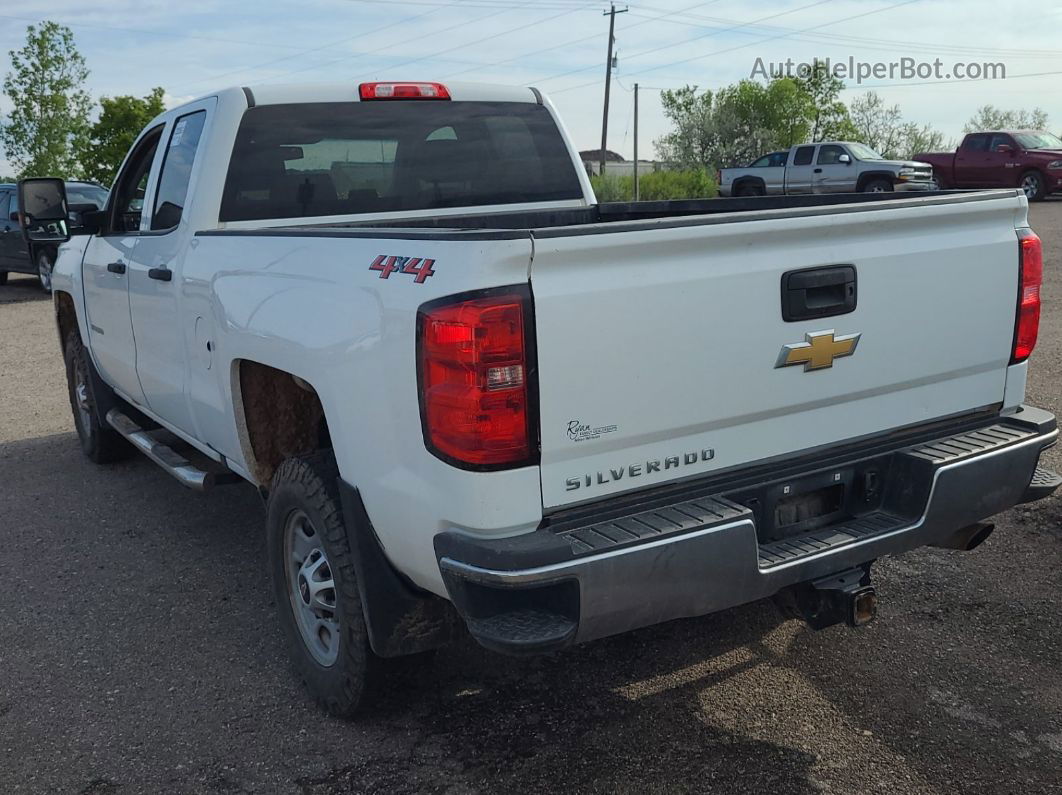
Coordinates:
312 589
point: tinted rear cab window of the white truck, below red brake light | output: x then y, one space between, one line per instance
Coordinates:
318 160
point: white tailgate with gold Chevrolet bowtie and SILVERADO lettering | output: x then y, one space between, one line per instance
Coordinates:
659 343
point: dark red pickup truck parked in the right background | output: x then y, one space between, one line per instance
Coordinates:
1023 159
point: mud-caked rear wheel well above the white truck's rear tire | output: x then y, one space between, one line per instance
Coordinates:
280 417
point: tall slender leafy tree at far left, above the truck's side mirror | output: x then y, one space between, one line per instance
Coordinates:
49 116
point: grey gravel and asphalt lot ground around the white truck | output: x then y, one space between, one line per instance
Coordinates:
139 652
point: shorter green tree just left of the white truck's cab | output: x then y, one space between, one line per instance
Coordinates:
122 119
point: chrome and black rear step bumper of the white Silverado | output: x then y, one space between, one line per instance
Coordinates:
609 574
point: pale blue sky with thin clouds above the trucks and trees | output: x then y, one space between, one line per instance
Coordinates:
559 46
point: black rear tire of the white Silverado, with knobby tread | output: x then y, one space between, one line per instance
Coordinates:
307 488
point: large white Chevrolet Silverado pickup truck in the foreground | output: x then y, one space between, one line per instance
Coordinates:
473 399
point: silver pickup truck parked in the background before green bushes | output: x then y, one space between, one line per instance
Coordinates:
841 167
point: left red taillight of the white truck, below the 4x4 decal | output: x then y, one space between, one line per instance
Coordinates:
475 370
